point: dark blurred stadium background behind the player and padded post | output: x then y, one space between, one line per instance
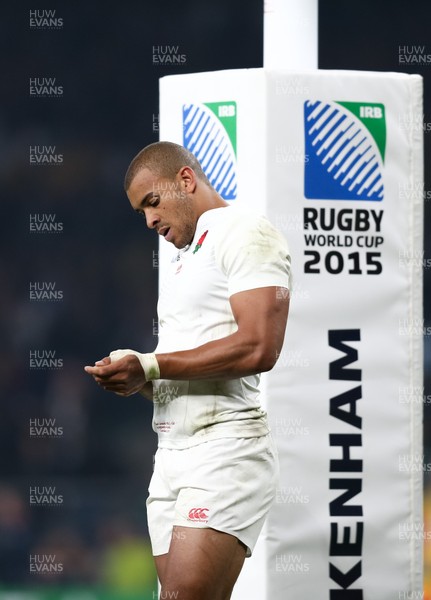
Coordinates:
78 270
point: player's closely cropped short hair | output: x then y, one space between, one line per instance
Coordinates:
164 159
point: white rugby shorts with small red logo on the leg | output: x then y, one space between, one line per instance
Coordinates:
227 484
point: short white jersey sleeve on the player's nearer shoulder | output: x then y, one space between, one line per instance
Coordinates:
252 253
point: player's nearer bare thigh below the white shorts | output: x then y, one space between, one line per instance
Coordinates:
203 563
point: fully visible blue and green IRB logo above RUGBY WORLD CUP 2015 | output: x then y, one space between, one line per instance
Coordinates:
345 147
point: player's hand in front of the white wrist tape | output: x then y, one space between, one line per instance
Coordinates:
123 377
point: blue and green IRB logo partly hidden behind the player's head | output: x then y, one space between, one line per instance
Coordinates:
209 132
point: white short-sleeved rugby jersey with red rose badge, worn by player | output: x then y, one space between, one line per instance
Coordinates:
232 251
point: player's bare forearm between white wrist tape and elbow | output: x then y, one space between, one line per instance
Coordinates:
229 357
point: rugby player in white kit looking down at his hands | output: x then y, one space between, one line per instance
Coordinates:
222 314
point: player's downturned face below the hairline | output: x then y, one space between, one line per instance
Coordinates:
166 206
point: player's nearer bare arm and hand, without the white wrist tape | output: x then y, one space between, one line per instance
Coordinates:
261 316
